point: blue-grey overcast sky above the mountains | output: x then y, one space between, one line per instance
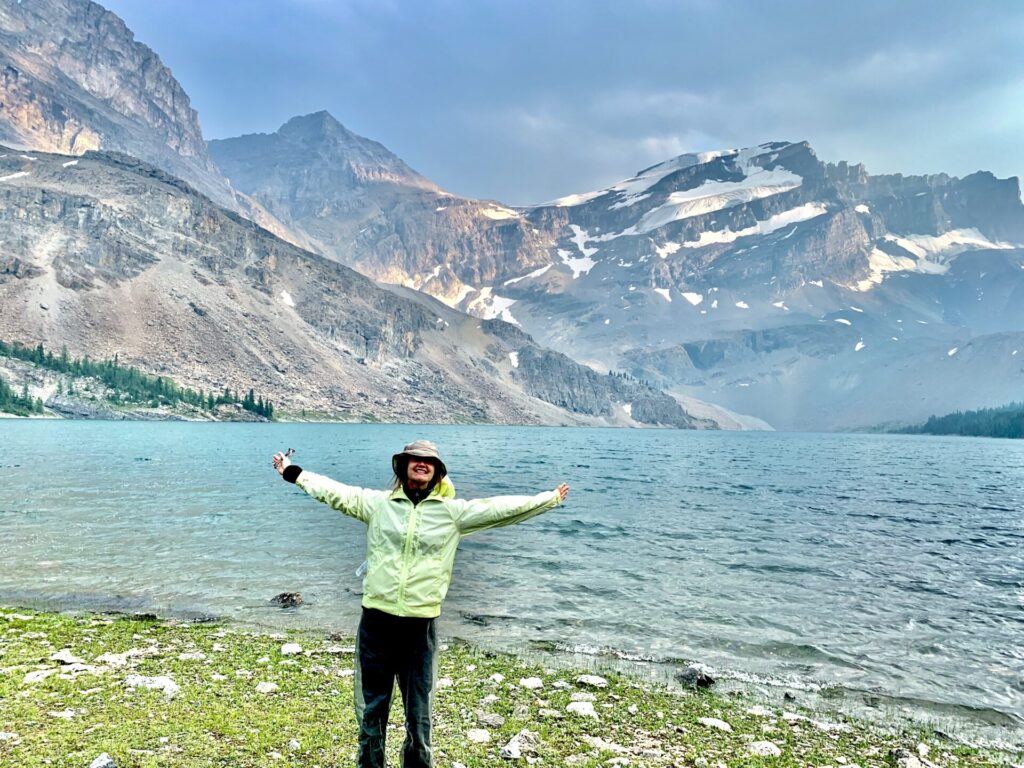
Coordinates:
525 102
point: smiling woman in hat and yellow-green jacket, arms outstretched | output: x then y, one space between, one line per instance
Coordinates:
413 532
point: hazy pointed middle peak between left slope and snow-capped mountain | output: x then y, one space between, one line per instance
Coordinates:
362 205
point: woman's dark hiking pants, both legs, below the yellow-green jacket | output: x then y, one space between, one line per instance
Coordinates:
388 649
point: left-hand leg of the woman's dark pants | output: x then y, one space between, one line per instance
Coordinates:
373 687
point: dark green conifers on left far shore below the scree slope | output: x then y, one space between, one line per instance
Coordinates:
129 385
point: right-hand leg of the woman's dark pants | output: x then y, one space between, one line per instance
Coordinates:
416 681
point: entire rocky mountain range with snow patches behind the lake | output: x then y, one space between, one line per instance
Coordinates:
758 287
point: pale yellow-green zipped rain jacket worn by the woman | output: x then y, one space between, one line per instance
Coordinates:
411 548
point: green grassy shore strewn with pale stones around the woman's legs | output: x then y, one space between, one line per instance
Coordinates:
142 691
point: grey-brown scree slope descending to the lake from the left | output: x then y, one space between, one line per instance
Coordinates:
106 254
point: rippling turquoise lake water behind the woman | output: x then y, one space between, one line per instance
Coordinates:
877 571
